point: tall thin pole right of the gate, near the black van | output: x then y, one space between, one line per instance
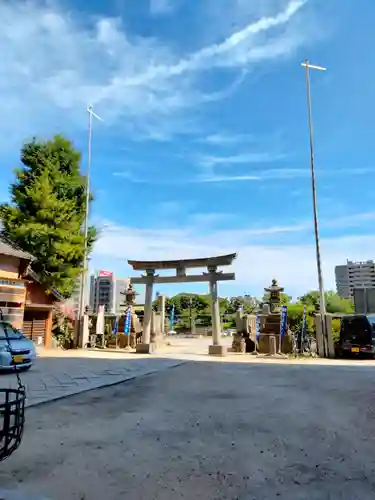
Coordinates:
316 223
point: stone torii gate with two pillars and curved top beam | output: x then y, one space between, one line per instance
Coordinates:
180 266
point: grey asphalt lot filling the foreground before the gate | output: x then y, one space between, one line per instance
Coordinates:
206 431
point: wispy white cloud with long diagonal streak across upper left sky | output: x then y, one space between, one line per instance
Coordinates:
49 68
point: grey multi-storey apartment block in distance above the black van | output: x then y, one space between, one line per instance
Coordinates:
354 275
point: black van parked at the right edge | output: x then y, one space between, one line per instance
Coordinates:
357 334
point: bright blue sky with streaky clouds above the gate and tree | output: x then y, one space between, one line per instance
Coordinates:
203 148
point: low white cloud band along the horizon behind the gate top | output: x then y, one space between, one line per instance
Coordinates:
258 260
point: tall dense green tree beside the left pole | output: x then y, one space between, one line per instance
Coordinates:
47 209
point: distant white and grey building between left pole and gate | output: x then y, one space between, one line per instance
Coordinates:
107 290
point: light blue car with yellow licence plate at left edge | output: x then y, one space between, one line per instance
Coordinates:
21 351
